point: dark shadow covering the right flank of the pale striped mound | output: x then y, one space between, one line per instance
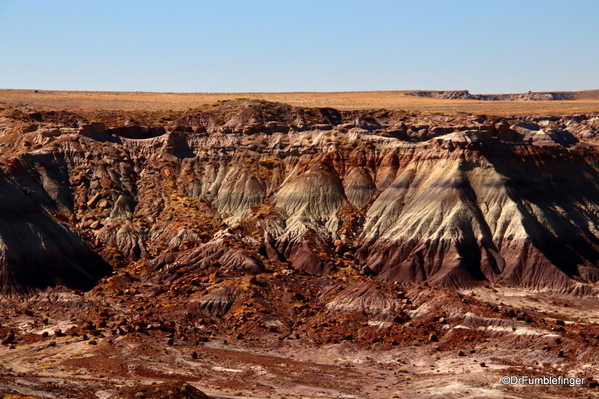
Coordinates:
557 182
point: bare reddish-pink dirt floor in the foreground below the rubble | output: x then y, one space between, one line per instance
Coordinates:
467 361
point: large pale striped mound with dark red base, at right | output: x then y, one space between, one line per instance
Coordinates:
518 215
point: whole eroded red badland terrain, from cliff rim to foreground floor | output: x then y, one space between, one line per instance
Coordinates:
173 242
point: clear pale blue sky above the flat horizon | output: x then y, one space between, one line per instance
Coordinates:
499 46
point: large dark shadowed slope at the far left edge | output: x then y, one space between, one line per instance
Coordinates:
37 252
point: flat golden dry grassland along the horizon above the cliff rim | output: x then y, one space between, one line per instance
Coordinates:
87 100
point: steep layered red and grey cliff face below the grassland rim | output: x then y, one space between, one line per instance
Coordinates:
247 186
